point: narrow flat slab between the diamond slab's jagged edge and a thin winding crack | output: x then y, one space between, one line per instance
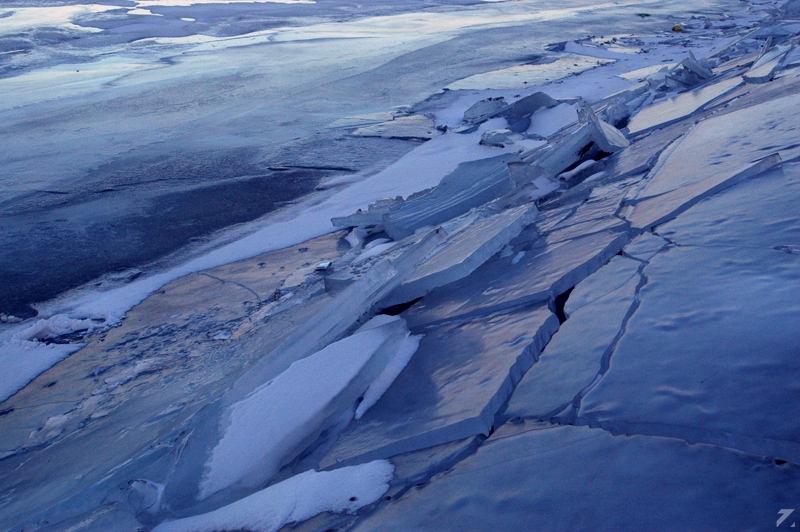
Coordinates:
574 356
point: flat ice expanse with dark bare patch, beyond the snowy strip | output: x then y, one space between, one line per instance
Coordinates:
135 130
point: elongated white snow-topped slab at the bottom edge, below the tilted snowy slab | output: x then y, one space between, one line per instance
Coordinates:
296 499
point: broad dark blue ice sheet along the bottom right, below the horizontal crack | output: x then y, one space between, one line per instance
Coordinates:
576 478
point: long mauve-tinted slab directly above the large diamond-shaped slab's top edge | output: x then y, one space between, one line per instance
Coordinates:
543 272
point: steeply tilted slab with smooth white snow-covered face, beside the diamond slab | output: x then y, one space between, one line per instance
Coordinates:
277 421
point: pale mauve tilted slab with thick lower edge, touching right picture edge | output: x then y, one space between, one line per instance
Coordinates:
714 155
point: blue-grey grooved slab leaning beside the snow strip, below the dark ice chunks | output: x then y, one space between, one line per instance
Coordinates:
470 185
